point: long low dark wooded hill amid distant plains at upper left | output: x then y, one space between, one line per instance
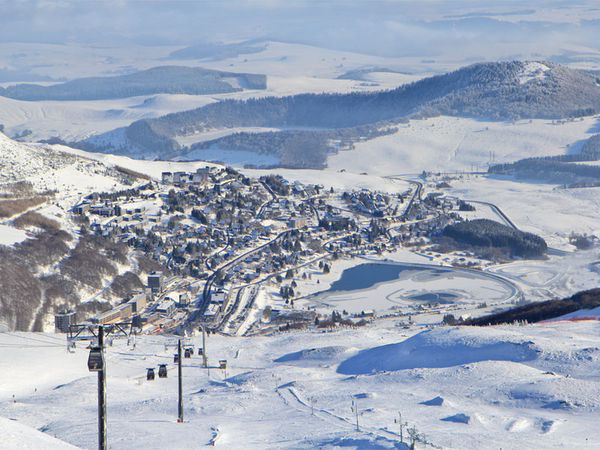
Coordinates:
158 80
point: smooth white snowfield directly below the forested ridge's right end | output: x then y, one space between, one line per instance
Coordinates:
451 144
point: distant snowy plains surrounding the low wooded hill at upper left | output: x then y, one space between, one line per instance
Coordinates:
290 69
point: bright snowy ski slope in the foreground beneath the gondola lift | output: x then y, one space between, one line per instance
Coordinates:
510 387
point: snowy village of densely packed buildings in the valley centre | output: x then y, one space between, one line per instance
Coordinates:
196 223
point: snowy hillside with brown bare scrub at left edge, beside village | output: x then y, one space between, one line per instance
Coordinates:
39 186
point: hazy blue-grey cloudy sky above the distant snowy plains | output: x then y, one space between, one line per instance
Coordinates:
382 27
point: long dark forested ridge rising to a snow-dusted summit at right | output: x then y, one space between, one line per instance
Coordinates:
491 91
